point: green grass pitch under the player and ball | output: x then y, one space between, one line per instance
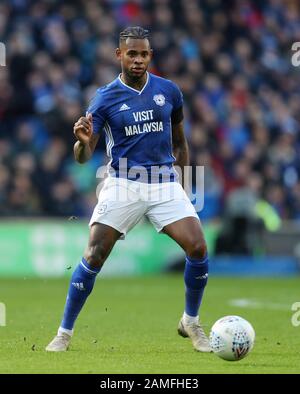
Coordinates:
130 326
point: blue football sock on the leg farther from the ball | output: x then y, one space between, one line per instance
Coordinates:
81 286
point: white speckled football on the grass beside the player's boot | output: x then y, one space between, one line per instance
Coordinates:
232 338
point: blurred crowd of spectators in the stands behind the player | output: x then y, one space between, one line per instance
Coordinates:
232 60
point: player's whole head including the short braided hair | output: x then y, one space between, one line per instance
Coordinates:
134 51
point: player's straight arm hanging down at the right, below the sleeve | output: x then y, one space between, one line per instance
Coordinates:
180 146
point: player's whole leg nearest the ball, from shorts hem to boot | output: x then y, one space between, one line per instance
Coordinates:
188 234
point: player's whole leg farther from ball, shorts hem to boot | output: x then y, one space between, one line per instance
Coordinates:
101 241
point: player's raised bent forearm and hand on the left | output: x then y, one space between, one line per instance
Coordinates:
87 140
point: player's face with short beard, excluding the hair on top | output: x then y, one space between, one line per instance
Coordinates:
135 56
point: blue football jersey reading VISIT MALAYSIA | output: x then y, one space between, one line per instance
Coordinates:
138 125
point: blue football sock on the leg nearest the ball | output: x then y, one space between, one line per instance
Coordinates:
195 278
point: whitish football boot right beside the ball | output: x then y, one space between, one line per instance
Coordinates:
197 335
